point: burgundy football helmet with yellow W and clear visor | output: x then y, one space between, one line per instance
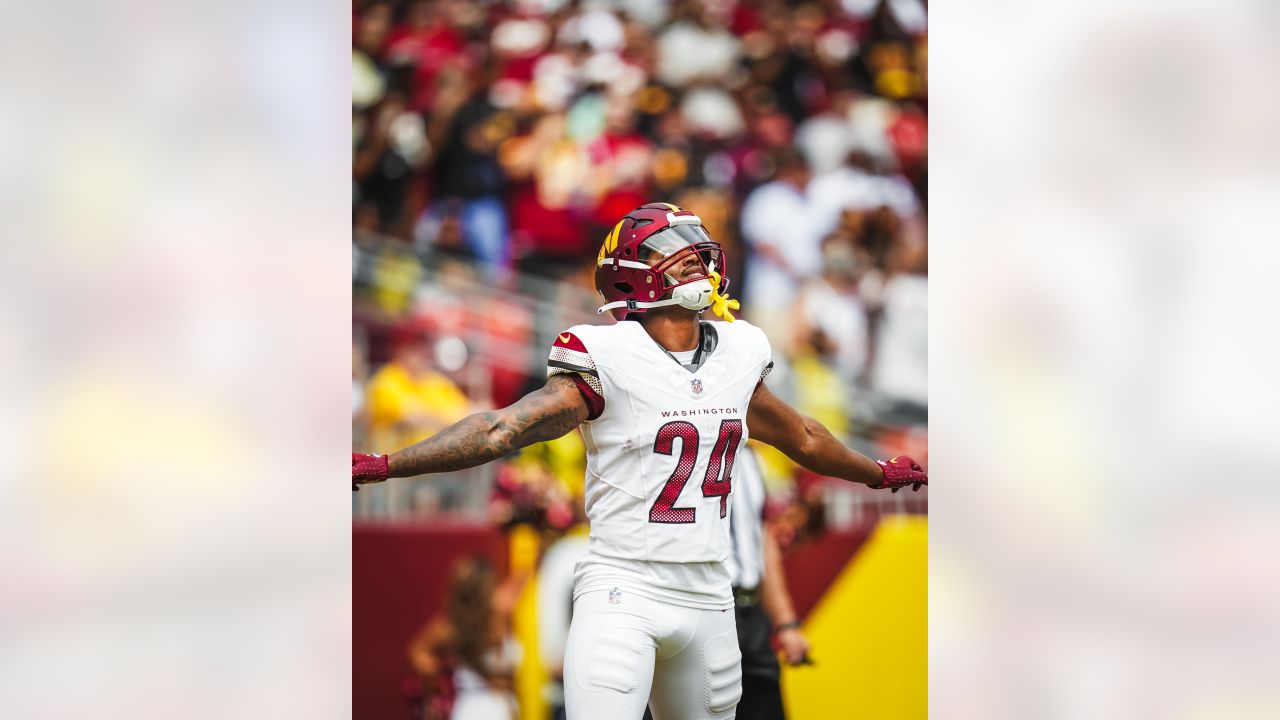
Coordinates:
659 256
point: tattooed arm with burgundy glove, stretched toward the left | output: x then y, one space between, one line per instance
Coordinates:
545 414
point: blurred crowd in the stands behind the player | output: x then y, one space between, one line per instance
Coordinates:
495 144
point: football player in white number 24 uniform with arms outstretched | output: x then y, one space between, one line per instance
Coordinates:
665 403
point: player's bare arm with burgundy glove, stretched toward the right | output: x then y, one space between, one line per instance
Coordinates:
810 444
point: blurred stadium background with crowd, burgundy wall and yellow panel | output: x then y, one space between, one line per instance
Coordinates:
493 147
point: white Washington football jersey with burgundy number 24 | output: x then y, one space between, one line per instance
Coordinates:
661 445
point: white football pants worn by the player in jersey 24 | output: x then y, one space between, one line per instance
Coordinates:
625 651
